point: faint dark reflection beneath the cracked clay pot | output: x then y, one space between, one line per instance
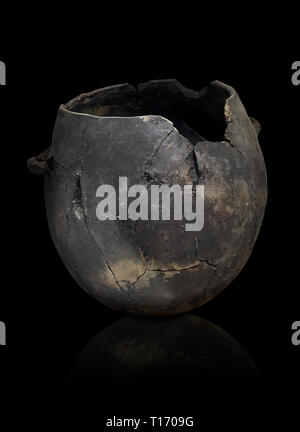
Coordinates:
165 356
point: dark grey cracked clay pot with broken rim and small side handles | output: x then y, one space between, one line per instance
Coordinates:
142 266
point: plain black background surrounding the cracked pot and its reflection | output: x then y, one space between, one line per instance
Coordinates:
50 60
